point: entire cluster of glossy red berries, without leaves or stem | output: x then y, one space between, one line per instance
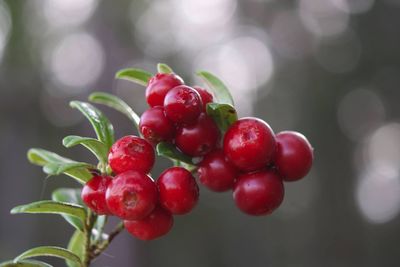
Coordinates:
248 158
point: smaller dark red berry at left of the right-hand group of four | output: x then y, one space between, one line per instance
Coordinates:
216 173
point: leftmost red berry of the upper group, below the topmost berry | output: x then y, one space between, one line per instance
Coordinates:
155 126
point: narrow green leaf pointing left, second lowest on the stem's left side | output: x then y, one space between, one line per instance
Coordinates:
52 207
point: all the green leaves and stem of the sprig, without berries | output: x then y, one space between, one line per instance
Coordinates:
89 240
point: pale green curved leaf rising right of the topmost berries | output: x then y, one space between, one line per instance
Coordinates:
221 92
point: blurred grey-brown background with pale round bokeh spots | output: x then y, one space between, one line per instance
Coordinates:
327 68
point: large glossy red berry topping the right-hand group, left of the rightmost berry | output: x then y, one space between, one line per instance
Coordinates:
249 144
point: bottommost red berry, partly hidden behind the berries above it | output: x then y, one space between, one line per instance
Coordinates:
155 225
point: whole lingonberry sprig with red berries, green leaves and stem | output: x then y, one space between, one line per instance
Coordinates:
198 130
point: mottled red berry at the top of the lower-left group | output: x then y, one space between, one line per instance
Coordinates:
131 153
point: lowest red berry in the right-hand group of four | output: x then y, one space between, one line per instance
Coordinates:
258 193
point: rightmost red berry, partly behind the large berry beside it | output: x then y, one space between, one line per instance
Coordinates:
293 156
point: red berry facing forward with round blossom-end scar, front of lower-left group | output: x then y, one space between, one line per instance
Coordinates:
132 195
